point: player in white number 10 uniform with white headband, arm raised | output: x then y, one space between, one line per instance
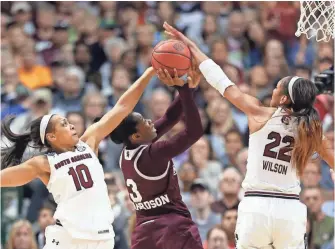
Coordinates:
71 171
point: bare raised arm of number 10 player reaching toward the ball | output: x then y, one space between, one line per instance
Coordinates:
124 106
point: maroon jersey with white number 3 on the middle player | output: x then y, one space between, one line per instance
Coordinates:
151 195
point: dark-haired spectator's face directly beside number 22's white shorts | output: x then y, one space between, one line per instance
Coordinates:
228 222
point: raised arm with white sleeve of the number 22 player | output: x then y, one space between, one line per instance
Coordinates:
215 76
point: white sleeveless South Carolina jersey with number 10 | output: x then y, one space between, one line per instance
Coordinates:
78 187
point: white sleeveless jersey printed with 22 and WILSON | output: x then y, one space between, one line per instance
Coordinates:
269 168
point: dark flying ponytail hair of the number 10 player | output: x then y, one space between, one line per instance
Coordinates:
12 155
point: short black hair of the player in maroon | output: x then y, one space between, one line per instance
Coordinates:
122 132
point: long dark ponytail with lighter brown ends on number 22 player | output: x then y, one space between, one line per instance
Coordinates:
308 136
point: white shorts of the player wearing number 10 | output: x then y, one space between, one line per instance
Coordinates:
58 238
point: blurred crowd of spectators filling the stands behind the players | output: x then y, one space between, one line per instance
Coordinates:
78 58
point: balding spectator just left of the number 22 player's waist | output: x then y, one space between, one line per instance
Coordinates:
229 186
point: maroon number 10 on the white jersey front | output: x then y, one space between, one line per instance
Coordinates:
79 180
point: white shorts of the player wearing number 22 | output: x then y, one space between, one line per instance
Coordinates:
265 222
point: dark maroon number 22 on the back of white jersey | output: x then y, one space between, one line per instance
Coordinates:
282 154
